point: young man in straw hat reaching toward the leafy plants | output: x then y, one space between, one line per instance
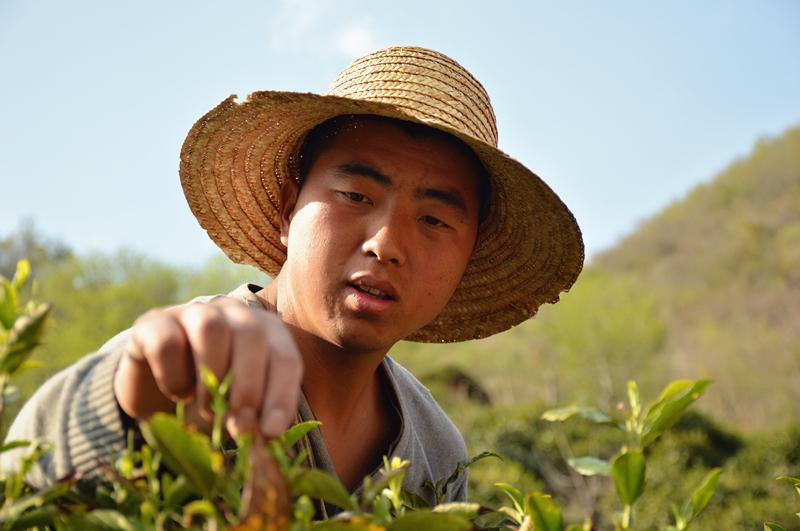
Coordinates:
384 211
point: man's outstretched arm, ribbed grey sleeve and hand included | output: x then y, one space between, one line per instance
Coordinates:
152 366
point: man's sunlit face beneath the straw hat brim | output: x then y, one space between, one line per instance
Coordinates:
379 236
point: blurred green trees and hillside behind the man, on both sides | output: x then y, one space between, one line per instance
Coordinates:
708 288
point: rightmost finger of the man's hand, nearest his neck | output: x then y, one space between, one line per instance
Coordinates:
284 374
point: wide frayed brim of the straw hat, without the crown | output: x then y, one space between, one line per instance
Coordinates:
236 158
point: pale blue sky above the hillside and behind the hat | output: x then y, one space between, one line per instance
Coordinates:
621 106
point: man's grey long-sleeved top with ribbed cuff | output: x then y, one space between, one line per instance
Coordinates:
76 412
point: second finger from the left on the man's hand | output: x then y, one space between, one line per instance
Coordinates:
209 336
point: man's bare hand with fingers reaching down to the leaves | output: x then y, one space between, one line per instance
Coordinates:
168 345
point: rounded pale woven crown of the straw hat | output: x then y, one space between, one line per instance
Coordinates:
425 84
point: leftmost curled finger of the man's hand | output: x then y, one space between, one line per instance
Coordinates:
159 339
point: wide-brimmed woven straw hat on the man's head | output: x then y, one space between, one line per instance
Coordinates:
237 156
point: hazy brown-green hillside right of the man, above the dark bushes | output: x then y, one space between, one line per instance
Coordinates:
710 287
